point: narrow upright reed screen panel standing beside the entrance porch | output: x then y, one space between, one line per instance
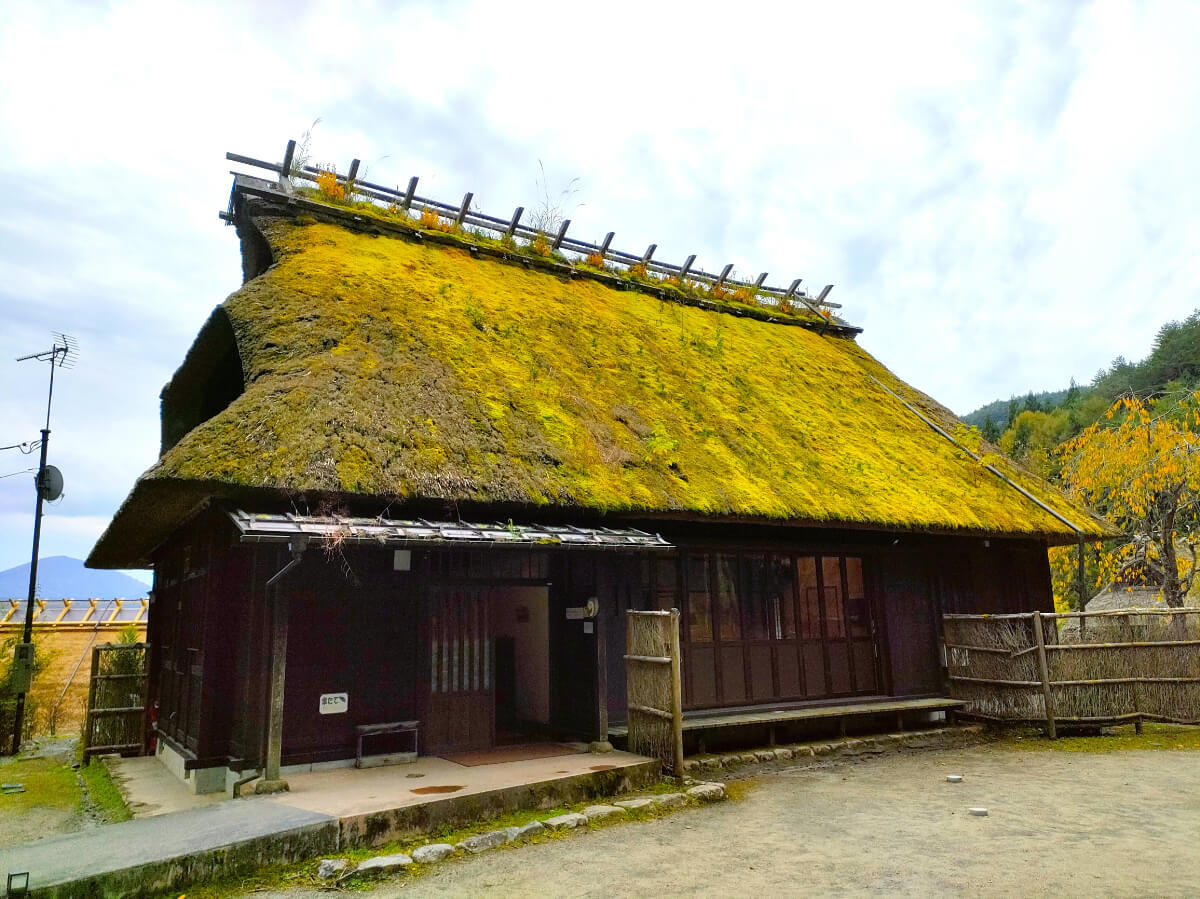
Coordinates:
655 688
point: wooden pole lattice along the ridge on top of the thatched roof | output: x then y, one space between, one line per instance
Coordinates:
410 203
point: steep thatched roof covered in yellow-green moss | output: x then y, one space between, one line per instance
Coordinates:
407 371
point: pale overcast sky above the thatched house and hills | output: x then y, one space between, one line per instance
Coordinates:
1005 195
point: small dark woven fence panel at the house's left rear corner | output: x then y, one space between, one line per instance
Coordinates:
117 700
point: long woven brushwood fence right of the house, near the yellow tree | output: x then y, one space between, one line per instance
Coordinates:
1077 669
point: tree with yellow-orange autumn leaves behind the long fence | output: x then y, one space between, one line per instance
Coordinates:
1141 468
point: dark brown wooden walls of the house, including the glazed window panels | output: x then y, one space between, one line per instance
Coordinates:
769 616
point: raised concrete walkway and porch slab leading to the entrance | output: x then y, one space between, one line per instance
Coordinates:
325 811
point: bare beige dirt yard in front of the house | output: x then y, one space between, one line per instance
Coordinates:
1060 824
